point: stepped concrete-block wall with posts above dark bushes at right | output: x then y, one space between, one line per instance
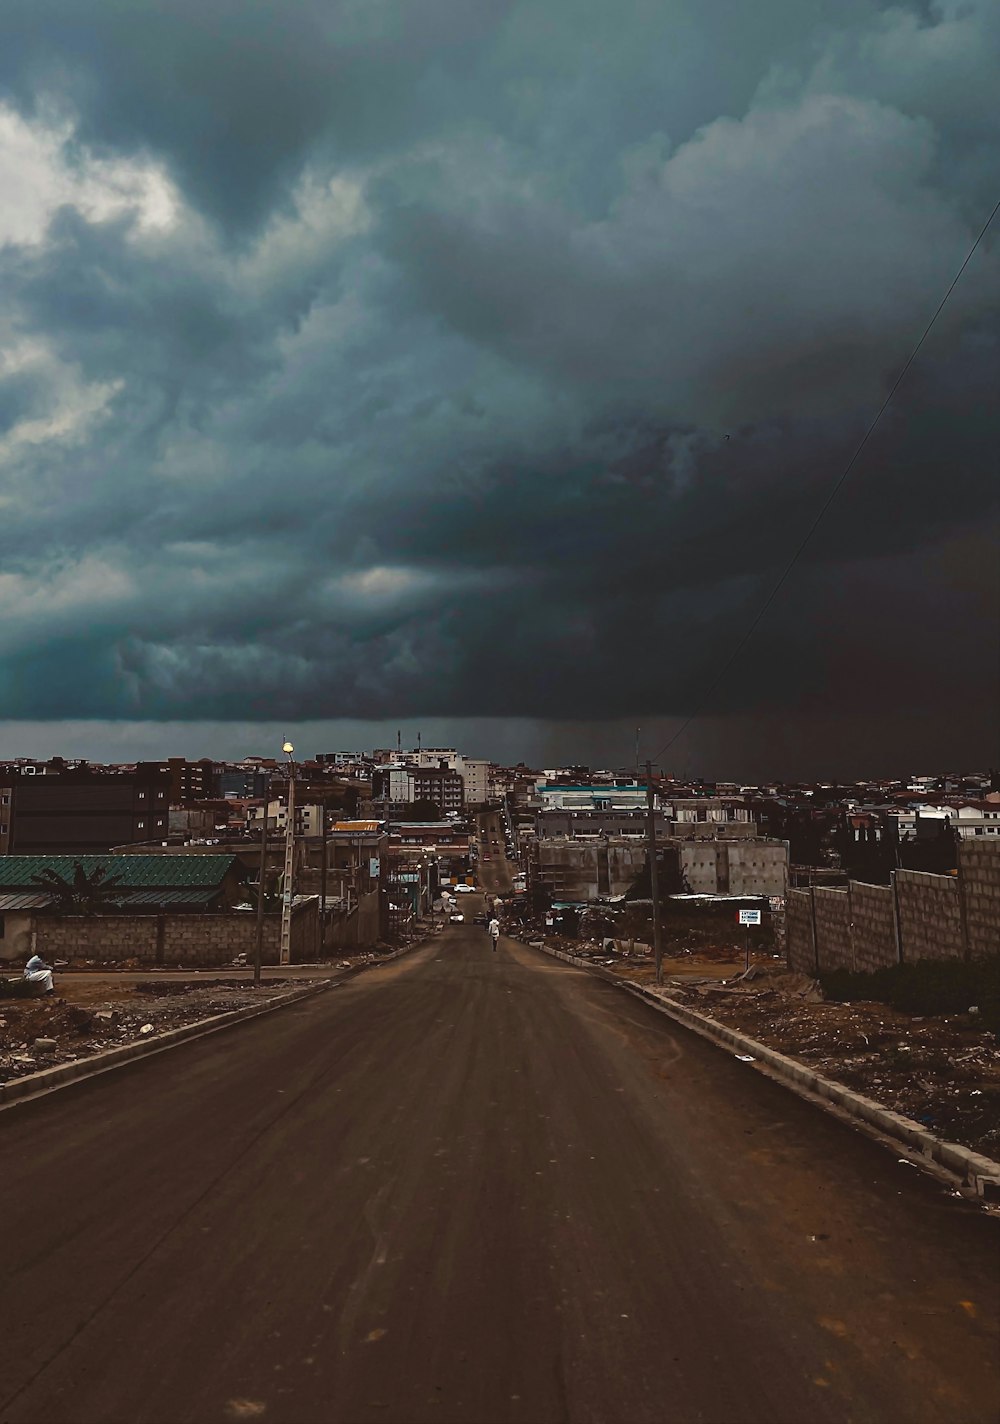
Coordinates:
917 918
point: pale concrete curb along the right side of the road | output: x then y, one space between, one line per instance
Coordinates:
976 1171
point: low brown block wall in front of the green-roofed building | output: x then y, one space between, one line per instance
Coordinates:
193 941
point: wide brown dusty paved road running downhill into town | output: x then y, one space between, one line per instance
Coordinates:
476 1188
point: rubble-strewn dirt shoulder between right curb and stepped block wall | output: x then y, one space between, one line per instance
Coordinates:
944 1072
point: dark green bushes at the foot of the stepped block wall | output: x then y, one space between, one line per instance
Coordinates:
927 988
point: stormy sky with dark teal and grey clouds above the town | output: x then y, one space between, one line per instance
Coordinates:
478 365
